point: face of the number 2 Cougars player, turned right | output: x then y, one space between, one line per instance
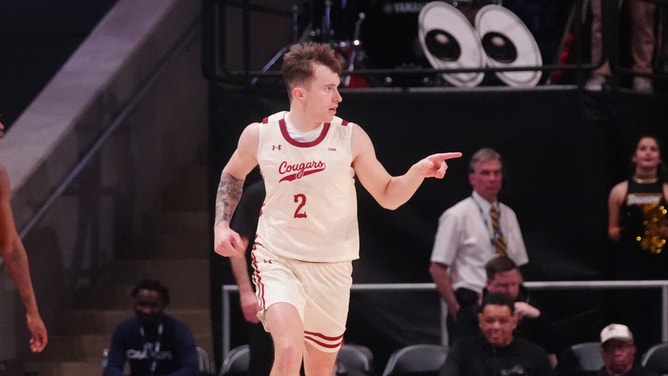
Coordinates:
322 95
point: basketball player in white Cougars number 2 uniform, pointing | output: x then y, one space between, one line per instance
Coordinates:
307 234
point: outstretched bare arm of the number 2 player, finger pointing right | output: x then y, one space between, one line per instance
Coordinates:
393 191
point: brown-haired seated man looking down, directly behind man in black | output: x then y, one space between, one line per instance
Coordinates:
503 276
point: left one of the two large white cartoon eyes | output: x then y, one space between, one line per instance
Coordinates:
449 41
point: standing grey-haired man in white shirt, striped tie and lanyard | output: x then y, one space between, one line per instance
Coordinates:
467 239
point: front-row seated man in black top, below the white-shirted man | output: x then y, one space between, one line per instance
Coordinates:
496 352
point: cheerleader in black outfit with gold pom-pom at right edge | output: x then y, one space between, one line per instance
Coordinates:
638 227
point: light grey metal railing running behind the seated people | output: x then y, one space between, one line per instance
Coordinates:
227 290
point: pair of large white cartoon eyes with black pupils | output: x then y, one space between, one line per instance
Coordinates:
498 38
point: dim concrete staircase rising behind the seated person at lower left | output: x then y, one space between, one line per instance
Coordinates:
174 249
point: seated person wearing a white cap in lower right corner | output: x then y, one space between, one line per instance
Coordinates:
618 351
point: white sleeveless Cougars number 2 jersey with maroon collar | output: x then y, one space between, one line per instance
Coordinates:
310 210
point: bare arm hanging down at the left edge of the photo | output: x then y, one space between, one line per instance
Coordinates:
16 260
